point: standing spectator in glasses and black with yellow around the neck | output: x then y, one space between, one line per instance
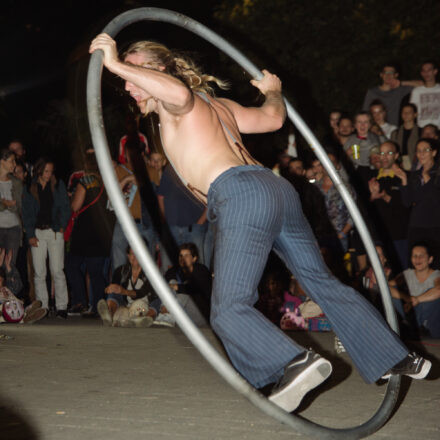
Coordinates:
391 214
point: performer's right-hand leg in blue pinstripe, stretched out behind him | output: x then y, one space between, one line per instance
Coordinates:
371 344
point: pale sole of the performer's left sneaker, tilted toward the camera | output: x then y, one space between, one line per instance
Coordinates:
290 396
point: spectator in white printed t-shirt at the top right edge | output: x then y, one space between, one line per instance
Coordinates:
427 97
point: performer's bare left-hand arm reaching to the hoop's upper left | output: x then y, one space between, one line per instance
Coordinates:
174 95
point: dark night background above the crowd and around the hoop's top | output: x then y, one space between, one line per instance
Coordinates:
327 54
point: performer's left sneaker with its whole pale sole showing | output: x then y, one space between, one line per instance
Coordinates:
302 374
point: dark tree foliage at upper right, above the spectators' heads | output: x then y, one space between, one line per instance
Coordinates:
329 53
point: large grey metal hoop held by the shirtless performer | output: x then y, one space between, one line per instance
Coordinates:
211 355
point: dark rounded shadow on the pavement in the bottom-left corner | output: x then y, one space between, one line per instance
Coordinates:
14 425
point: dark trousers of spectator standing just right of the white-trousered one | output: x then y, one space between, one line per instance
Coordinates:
94 266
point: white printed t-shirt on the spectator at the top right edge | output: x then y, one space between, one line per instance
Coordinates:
427 100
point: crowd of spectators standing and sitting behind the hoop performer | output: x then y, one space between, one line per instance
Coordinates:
385 154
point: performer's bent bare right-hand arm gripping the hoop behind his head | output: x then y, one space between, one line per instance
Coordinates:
270 116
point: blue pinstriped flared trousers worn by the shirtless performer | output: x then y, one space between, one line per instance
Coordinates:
255 212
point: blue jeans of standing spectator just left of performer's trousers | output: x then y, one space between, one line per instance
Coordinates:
184 234
